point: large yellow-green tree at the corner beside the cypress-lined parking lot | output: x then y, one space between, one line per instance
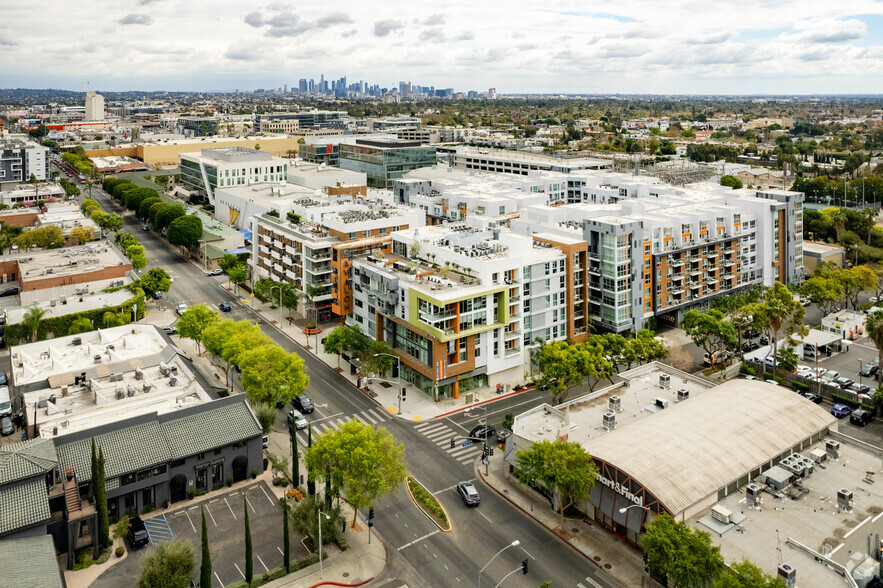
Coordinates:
365 462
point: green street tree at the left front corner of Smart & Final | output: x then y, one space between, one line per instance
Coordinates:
563 467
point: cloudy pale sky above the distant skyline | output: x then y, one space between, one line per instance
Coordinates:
516 46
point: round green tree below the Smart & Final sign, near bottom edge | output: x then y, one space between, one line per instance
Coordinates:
684 555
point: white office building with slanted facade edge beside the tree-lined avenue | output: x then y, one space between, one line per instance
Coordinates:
210 169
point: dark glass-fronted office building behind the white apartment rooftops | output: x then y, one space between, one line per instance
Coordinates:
384 161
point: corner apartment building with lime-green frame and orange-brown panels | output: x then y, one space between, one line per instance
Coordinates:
462 305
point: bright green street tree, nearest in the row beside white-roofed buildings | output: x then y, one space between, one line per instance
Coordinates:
273 375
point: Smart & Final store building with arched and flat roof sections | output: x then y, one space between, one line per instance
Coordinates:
666 441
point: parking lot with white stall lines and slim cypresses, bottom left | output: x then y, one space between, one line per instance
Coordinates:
224 516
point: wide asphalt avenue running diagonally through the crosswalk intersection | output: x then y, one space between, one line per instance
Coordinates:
419 554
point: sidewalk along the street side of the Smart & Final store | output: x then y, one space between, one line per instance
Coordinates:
617 559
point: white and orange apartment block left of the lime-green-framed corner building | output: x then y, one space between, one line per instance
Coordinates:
312 241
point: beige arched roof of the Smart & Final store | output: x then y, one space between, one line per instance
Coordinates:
690 450
